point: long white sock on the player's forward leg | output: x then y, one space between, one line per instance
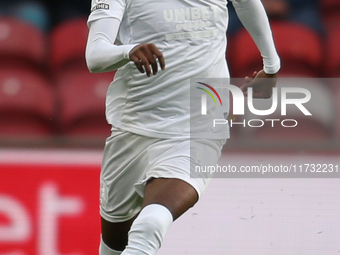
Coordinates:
148 230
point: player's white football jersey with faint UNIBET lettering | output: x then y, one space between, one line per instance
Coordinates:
191 34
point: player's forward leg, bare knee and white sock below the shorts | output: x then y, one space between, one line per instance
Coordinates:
164 201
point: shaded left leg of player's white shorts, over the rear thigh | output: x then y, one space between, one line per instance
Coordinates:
124 164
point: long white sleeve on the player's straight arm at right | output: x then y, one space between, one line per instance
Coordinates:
254 18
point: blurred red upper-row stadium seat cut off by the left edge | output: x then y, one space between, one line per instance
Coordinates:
21 43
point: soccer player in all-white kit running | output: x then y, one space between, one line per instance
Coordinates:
145 179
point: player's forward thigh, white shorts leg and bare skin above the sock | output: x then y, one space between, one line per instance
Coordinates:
172 181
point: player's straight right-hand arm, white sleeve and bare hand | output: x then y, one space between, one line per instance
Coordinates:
254 18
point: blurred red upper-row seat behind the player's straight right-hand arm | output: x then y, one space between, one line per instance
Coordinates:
299 47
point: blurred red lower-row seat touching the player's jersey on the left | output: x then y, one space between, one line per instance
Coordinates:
82 101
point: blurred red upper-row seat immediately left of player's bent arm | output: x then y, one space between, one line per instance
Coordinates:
67 44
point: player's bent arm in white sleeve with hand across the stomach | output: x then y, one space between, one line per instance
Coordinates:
102 55
